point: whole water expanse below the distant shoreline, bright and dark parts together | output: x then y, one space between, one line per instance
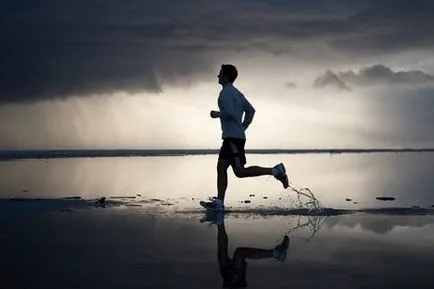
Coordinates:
151 233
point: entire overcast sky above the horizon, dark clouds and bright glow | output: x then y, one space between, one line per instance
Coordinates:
142 74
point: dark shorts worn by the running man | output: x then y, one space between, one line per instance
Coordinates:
232 149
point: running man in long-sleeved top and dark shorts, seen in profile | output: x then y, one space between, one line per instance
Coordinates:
233 104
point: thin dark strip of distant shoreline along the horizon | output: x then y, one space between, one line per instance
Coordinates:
6 155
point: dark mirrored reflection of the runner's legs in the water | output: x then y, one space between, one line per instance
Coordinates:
233 270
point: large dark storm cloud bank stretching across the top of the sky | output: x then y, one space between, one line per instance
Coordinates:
56 49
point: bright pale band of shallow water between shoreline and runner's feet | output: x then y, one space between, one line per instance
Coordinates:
345 181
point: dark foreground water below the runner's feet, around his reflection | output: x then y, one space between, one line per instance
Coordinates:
132 248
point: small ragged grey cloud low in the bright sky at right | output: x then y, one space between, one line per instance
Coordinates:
373 75
